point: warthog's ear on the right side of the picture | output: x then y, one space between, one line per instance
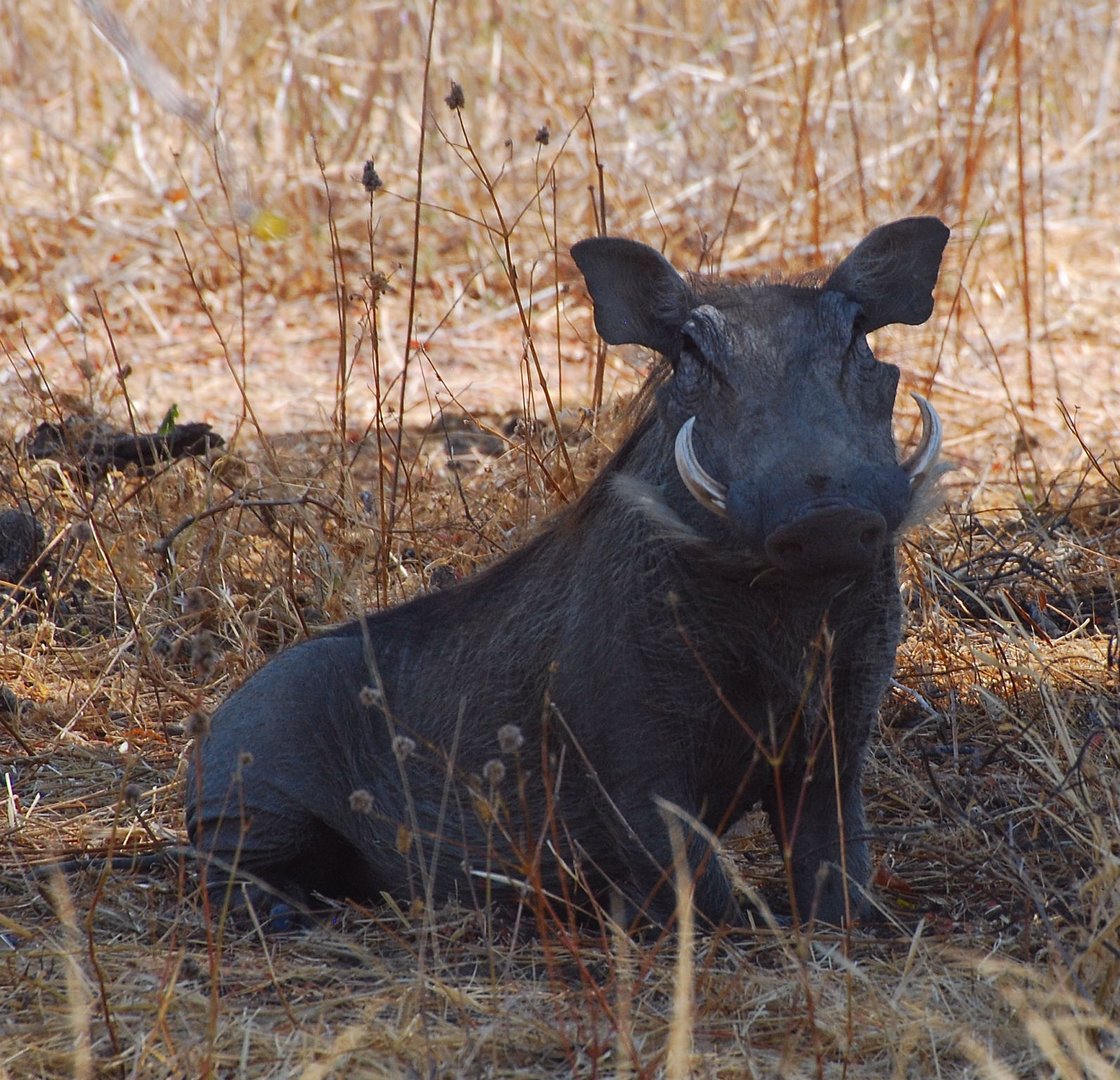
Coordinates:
893 272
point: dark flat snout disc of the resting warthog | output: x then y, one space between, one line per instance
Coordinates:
828 541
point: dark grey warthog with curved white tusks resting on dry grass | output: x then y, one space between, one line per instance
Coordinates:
713 626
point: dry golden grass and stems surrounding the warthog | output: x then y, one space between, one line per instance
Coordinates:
190 228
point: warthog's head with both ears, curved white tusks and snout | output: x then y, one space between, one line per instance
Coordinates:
782 413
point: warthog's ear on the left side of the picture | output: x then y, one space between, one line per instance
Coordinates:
640 300
